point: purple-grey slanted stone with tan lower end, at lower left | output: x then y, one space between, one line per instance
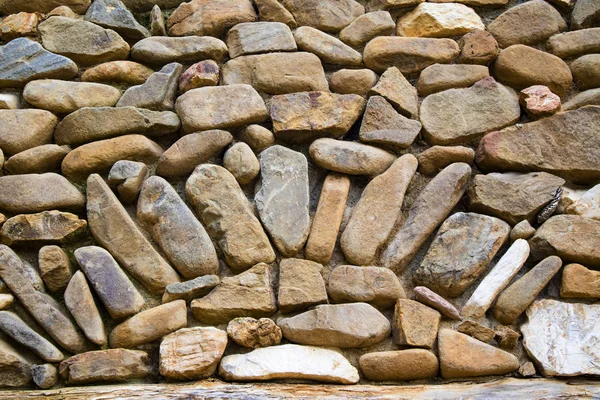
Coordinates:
115 290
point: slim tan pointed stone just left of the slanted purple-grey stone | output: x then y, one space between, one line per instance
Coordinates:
80 302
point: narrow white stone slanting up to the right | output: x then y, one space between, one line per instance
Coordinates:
498 278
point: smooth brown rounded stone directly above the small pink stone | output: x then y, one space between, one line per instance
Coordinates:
522 66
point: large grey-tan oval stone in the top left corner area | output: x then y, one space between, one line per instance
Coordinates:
94 44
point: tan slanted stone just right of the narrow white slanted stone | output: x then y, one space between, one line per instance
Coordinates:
517 297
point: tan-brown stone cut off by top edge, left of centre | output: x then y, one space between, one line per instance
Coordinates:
209 17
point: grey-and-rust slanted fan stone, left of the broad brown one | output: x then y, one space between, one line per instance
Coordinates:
175 228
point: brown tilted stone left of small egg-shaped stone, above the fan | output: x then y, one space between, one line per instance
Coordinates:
192 150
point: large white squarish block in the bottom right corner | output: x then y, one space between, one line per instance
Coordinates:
560 337
